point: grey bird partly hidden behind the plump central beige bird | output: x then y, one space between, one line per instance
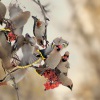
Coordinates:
57 41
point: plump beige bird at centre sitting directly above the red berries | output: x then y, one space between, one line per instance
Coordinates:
53 59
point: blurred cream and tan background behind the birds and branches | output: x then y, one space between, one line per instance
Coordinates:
78 22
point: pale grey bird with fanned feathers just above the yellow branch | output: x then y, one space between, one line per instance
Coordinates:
29 51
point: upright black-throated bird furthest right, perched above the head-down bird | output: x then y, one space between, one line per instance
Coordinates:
63 65
